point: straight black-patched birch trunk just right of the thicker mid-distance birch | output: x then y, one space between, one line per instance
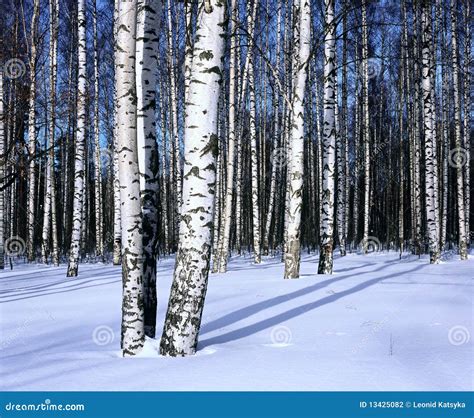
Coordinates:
329 144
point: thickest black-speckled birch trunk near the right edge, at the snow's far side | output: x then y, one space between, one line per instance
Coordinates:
431 161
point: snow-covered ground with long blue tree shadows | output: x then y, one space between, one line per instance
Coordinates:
378 323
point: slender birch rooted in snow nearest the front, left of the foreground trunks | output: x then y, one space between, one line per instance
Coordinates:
80 144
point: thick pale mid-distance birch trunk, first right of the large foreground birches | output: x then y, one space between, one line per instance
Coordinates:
296 168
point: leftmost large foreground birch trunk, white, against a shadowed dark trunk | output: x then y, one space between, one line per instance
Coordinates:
133 333
